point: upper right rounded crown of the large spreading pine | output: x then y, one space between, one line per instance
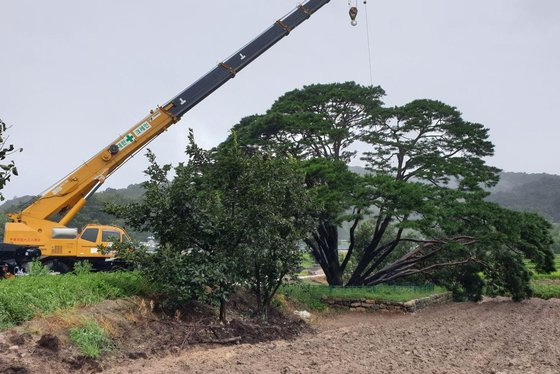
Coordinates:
429 141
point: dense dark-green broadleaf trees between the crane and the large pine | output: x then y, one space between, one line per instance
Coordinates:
227 219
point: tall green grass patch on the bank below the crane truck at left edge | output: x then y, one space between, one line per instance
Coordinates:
23 298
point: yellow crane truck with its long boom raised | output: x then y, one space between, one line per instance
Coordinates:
40 230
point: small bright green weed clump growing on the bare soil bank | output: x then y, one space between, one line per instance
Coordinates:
91 339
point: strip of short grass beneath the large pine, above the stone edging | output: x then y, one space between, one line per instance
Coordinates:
311 295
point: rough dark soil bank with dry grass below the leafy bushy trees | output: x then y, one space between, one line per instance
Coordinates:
139 331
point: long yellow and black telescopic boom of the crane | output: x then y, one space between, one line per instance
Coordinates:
69 194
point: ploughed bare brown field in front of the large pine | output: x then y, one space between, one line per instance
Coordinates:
497 336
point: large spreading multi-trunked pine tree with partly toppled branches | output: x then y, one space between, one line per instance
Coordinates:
424 192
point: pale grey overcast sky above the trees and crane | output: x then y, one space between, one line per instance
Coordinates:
74 75
